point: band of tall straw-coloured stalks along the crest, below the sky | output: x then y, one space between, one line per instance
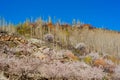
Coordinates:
97 40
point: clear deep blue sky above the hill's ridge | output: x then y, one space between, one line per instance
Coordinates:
99 13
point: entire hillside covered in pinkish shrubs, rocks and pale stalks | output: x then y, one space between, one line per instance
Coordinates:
45 51
